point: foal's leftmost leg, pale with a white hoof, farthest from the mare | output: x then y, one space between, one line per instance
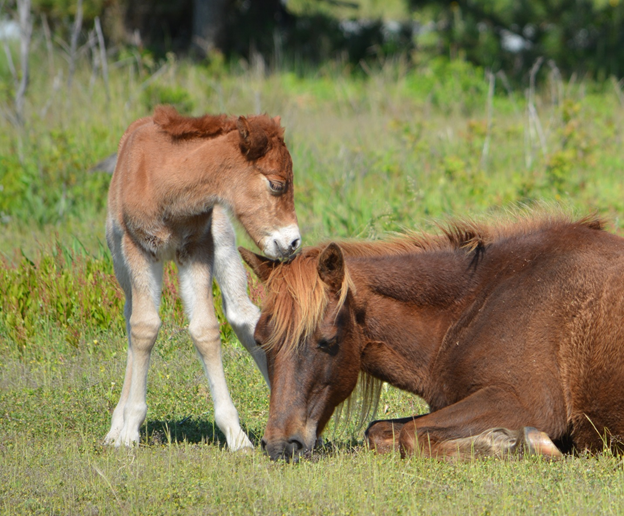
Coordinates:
141 279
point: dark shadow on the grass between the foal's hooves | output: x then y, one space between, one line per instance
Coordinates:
191 430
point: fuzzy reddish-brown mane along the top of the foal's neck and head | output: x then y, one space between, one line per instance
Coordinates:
209 126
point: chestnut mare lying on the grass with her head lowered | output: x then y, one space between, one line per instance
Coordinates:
513 335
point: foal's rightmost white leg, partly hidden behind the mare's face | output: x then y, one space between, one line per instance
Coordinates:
240 312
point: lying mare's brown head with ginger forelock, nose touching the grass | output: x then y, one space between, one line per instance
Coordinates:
313 344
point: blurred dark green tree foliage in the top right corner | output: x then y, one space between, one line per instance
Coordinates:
585 36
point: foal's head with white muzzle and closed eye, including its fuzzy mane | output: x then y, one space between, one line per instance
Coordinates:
258 182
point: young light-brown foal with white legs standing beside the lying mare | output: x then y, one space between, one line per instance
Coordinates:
173 180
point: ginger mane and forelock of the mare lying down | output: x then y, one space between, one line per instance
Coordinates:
297 297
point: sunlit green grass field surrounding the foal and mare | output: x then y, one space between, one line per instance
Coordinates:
375 152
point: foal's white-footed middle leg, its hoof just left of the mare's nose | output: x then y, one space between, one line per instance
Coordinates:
196 292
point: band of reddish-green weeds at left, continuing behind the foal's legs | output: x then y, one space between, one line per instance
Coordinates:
69 292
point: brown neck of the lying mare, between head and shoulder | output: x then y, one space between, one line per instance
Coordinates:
408 303
